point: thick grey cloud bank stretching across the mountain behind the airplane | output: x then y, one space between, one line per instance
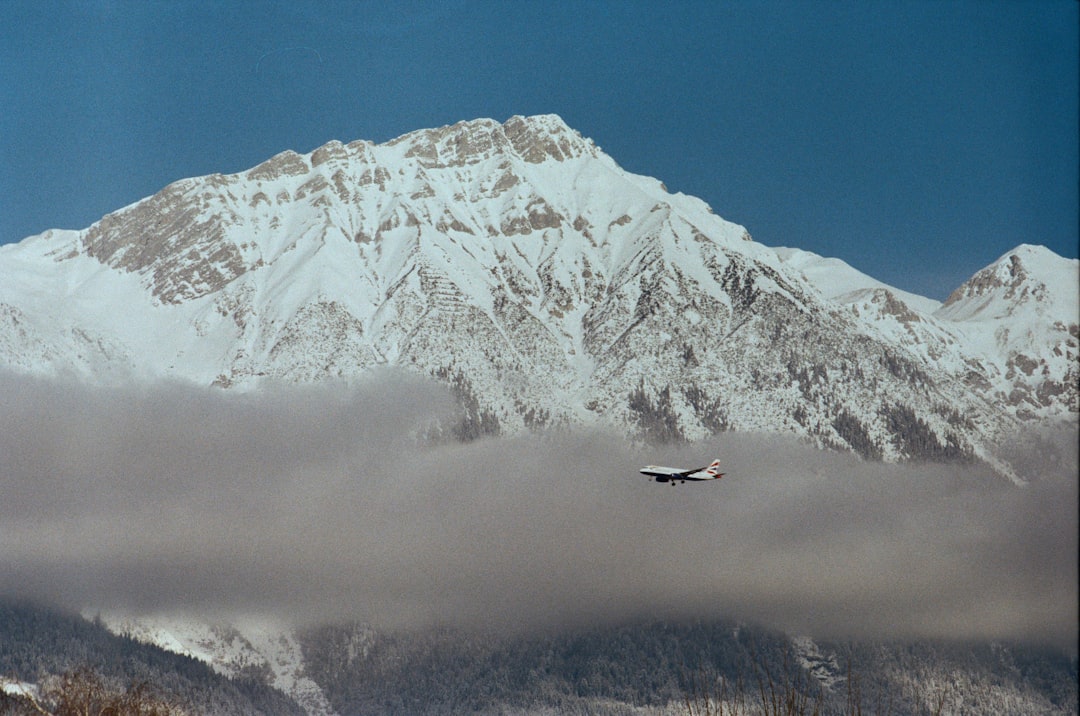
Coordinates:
321 505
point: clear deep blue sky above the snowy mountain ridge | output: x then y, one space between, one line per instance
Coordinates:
916 141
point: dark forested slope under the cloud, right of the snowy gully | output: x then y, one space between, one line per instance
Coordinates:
658 667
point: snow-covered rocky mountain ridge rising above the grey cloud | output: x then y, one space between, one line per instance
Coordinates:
521 265
